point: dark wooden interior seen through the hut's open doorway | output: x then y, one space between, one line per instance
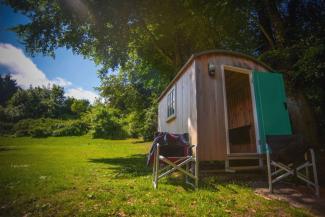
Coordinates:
240 113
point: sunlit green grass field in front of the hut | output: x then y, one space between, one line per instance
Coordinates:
79 176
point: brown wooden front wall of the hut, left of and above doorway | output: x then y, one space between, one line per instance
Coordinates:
210 103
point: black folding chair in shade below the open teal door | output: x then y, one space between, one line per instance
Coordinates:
288 155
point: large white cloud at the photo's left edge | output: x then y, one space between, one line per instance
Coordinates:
23 70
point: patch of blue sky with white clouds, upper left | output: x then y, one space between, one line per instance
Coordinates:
76 74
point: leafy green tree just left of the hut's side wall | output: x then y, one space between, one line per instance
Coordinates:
133 91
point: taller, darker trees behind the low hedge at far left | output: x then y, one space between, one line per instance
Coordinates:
42 102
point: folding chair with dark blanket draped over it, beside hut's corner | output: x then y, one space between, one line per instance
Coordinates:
170 153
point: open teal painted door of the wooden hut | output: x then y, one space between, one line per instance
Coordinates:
271 107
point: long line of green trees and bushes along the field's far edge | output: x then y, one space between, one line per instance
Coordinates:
45 111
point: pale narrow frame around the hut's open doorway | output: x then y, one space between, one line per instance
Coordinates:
256 127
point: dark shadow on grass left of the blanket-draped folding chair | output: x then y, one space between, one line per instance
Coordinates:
126 167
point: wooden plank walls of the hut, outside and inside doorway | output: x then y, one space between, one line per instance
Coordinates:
200 107
